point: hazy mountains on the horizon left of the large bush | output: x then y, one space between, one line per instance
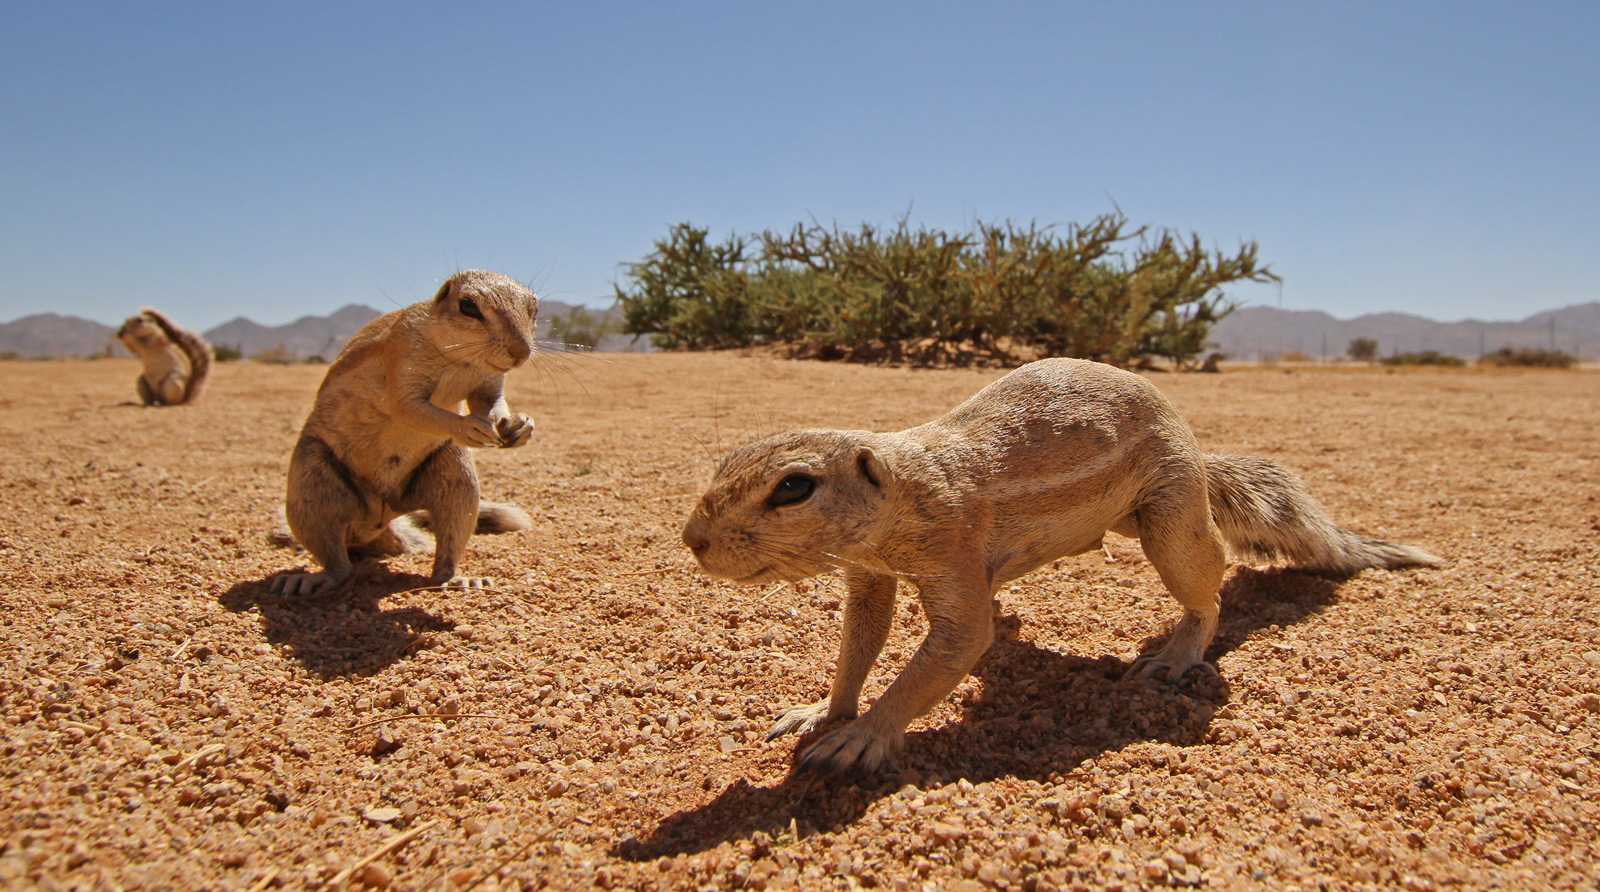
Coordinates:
52 335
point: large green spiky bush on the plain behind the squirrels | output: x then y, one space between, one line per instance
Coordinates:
1105 292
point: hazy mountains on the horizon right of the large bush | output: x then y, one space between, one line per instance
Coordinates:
1266 332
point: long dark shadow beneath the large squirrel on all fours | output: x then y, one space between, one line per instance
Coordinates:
1039 715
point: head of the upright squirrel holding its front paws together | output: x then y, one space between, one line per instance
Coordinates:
484 319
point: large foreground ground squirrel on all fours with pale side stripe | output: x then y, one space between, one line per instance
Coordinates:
1034 468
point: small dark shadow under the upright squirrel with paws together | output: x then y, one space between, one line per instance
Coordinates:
343 634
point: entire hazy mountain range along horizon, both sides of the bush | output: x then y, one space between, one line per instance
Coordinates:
1252 333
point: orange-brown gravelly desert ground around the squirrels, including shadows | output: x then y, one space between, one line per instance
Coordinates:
598 719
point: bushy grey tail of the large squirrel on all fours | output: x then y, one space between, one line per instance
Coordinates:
1266 514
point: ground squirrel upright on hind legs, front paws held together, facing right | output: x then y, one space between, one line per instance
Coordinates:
386 445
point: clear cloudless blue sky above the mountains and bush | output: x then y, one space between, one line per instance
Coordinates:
286 159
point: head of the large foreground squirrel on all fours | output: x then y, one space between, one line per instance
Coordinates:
791 506
